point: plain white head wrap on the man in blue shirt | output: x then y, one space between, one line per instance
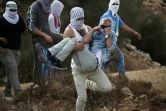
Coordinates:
114 8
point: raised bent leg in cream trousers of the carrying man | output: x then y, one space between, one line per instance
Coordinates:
98 81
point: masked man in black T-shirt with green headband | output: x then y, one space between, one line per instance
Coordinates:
11 27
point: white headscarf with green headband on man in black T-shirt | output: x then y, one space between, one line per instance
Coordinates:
11 17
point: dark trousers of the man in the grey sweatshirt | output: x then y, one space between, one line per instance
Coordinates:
57 37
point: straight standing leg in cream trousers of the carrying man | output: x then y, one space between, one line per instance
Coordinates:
79 79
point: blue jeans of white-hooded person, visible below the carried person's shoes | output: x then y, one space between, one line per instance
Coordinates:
45 68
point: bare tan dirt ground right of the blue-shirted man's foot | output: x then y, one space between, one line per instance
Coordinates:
156 76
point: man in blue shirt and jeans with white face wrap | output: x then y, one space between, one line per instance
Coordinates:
116 25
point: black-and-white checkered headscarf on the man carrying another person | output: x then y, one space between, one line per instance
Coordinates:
76 13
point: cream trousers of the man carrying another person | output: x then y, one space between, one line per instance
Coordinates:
96 81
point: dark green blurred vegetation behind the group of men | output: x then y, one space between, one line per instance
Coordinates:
149 24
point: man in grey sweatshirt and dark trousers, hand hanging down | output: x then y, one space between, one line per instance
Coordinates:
37 21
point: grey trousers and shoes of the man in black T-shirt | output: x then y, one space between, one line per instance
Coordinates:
10 59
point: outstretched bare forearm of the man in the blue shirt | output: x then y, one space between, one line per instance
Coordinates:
130 30
